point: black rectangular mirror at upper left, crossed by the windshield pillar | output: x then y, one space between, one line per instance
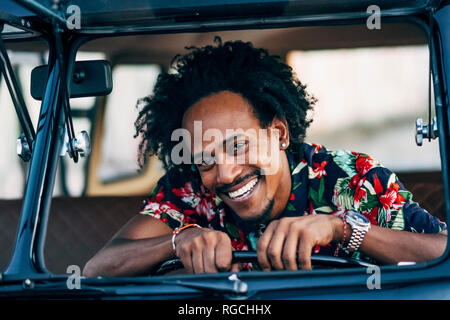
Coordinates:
90 78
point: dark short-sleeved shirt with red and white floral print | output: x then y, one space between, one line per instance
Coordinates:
323 182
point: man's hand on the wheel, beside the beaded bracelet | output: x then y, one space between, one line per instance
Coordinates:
204 250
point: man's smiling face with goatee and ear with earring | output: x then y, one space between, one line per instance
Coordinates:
237 159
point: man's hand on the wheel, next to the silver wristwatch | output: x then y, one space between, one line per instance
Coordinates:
288 242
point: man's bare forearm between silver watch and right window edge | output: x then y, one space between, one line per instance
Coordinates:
392 246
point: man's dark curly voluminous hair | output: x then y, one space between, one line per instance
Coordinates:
264 80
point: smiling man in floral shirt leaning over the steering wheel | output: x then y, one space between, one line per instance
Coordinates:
237 189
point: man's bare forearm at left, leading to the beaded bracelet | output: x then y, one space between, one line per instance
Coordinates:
126 257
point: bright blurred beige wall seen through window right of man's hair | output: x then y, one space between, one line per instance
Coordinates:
368 100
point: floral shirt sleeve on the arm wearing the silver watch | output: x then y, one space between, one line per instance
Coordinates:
367 187
